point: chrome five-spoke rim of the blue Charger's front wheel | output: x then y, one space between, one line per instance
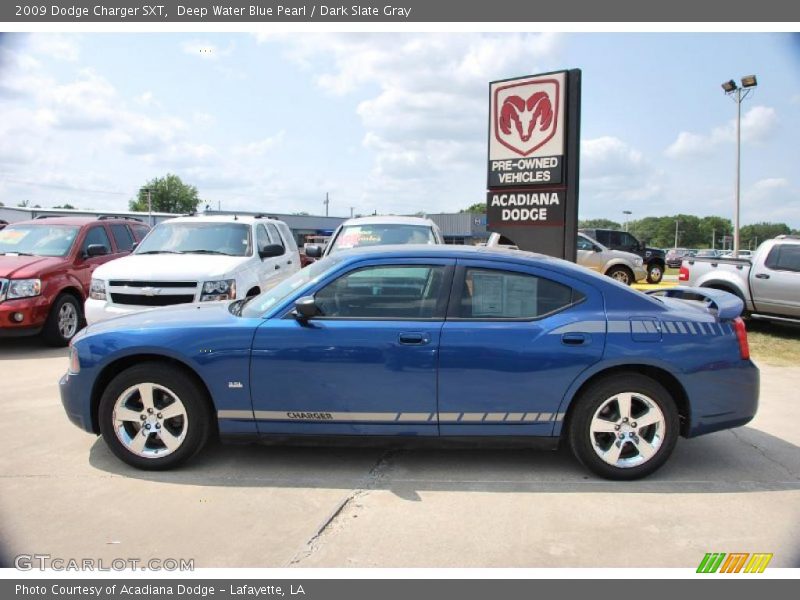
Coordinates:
150 420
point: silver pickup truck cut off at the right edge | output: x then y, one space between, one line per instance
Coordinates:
768 282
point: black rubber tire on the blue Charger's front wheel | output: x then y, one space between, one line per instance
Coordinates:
170 383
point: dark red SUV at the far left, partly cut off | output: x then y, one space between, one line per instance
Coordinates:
46 267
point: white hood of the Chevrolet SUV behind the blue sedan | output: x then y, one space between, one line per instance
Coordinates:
170 267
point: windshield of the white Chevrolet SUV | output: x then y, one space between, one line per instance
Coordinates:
232 239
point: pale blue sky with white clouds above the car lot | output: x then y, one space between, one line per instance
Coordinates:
390 122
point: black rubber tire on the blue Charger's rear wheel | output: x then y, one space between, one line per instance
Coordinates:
586 444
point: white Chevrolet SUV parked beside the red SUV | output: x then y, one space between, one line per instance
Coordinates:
195 259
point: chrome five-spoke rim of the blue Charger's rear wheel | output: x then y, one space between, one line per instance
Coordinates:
627 430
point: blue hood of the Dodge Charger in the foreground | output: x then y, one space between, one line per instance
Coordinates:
179 316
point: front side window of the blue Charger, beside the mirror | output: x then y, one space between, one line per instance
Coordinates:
384 292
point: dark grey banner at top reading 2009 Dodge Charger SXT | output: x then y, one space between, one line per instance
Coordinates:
496 11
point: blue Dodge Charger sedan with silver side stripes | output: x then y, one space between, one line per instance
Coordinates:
432 341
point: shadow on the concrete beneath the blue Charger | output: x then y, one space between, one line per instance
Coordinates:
742 460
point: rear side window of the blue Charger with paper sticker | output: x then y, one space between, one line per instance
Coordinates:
493 294
